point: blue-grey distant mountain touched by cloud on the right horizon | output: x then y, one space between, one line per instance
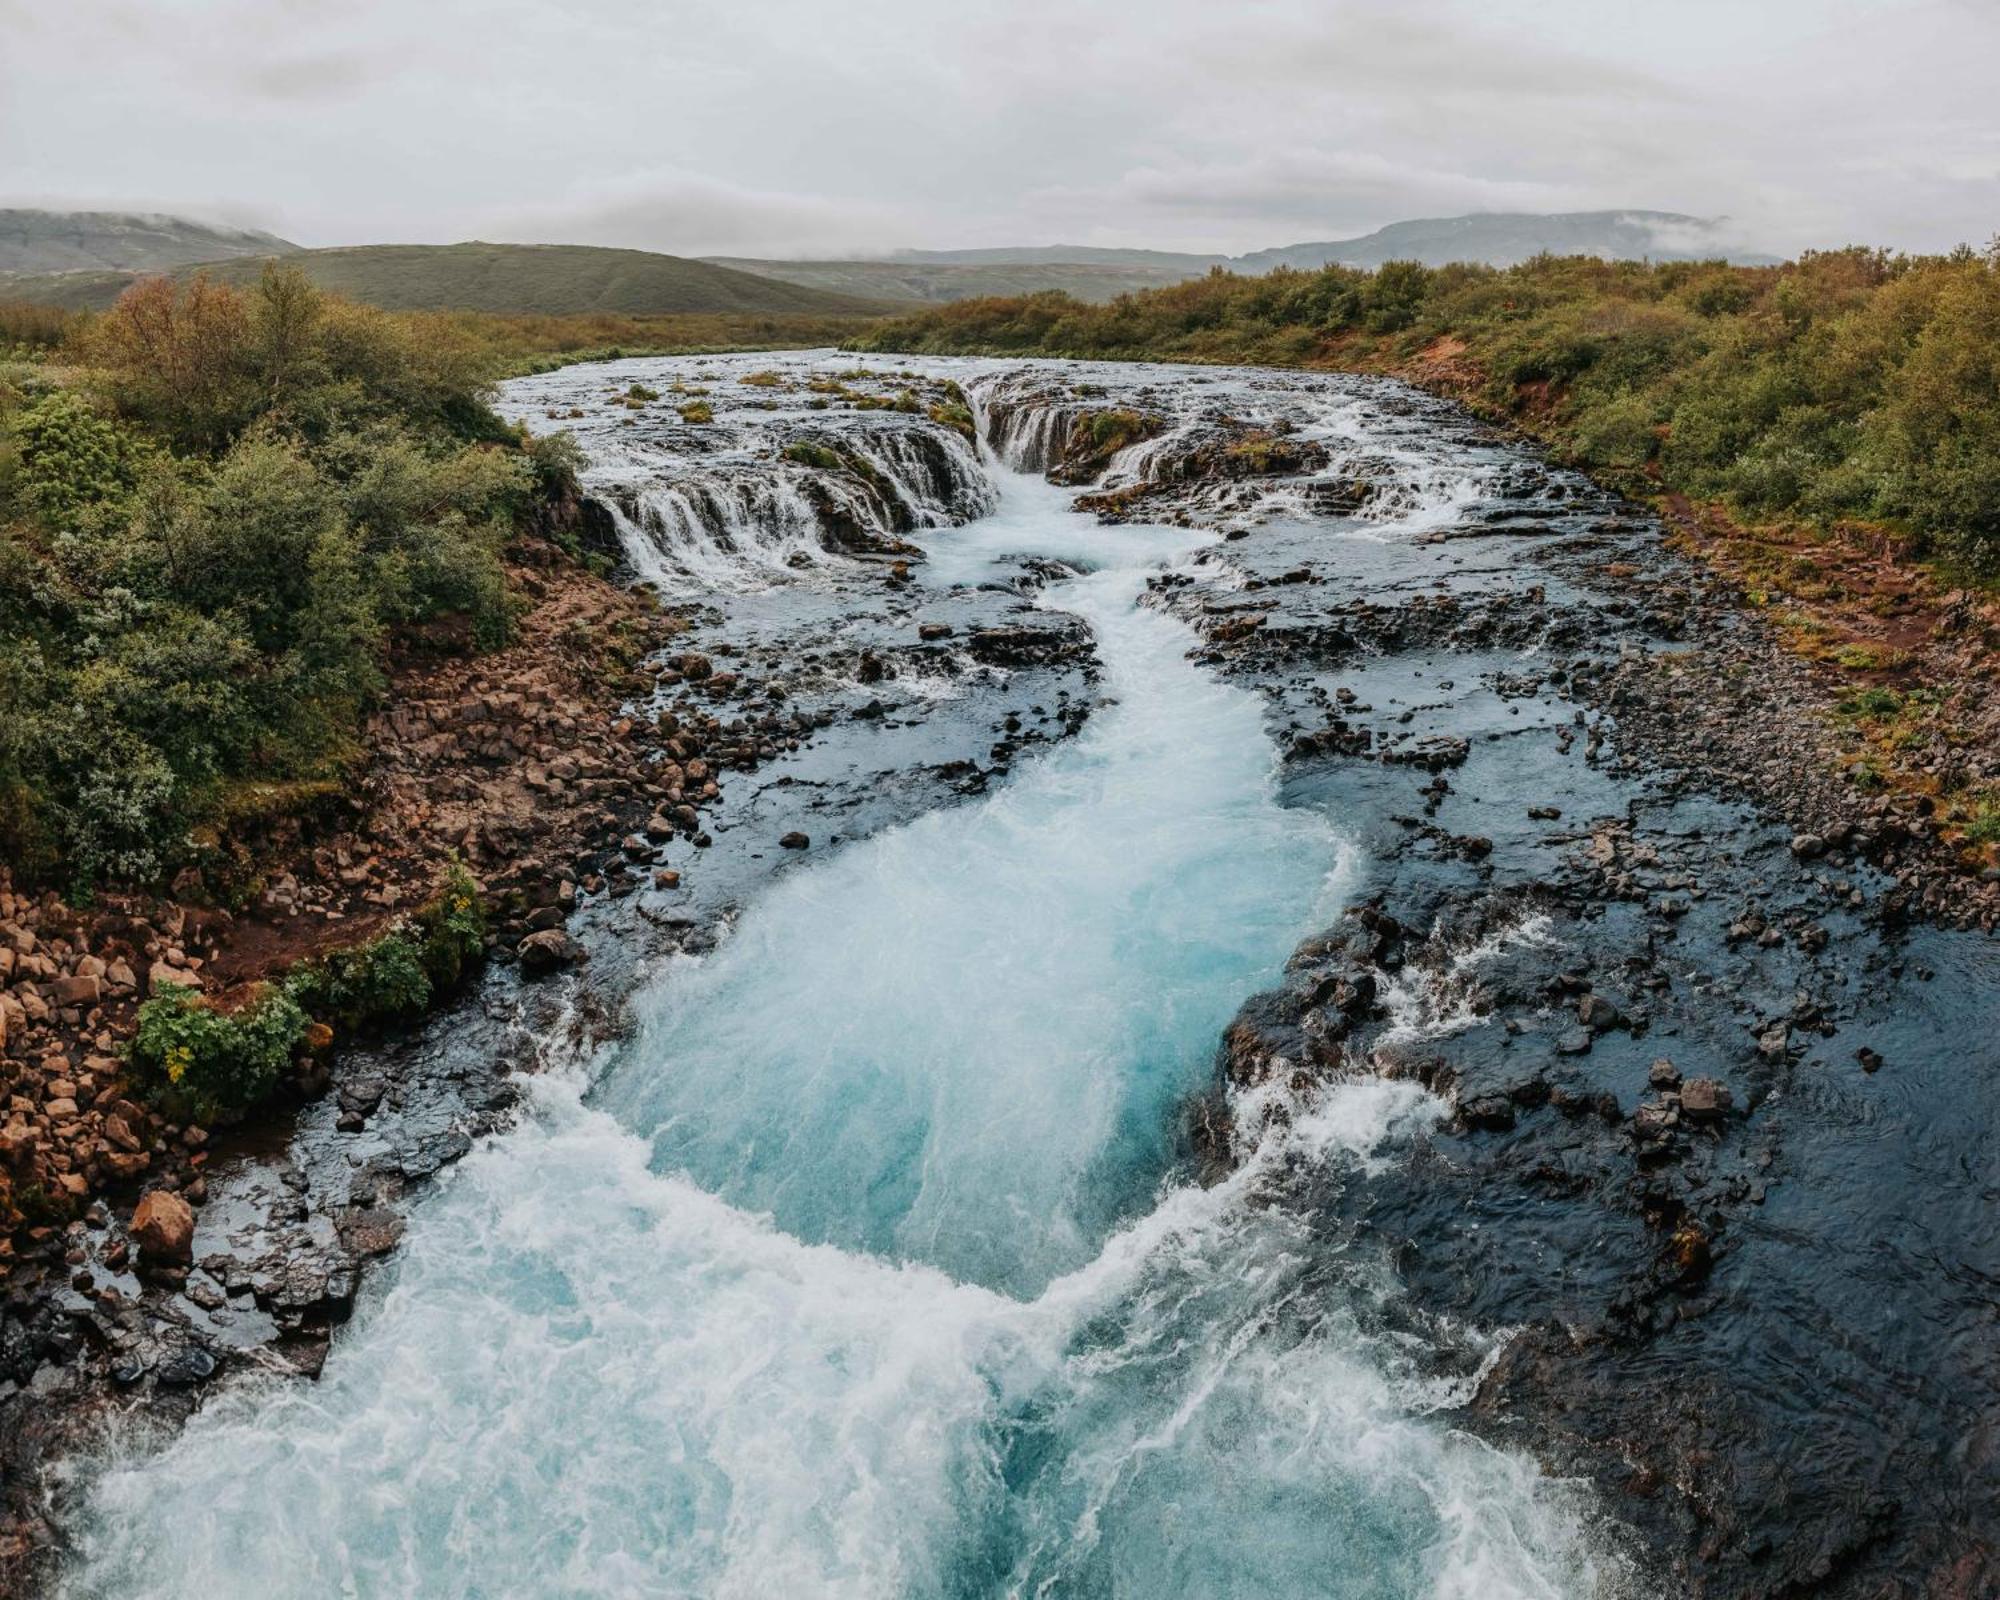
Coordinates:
1507 239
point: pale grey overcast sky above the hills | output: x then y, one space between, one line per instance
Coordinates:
799 127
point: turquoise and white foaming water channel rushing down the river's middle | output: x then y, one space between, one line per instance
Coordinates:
867 1267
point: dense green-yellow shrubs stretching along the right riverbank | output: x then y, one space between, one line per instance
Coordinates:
1841 387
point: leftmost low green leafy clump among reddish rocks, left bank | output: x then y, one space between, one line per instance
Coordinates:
215 1065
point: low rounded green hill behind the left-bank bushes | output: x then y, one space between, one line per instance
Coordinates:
507 279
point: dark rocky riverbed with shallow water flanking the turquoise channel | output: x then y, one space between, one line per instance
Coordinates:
1703 1211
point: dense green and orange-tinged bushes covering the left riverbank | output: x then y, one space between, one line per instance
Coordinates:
217 509
